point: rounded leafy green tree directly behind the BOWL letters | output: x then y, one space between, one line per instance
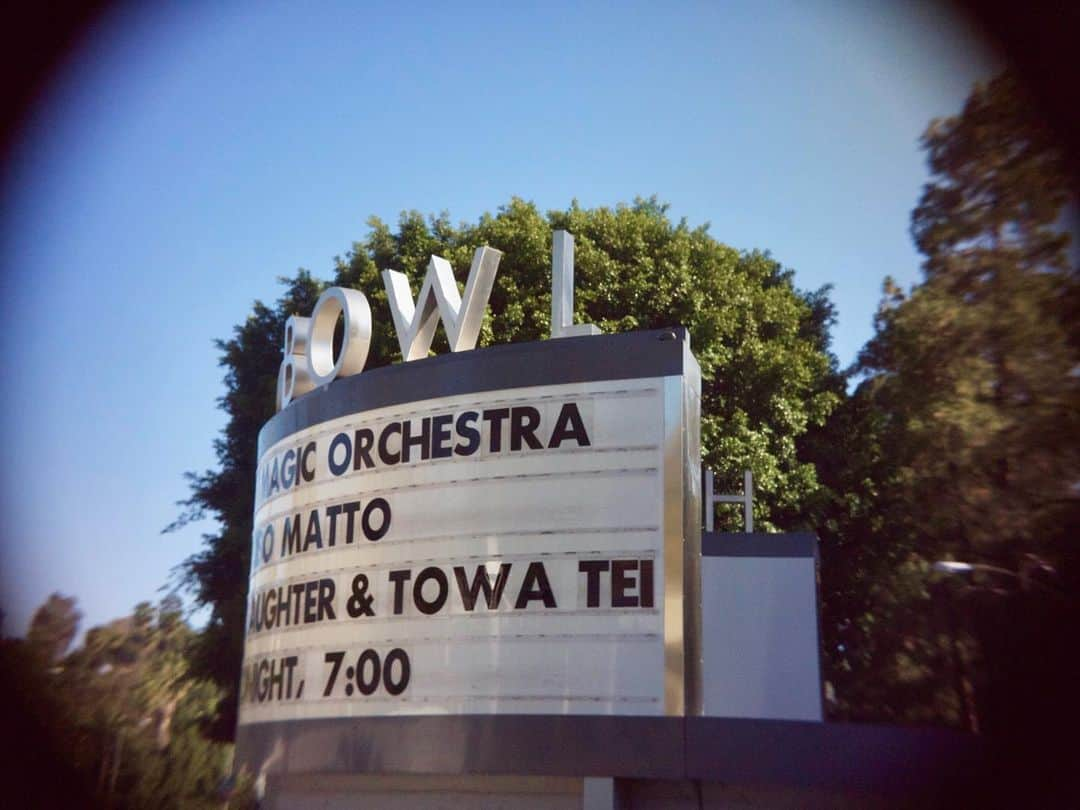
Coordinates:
762 344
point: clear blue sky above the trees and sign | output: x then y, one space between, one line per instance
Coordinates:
186 158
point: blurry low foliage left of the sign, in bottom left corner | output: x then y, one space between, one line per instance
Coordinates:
120 720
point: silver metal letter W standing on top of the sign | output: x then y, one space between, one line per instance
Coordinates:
439 296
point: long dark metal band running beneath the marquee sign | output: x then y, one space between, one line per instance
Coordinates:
714 749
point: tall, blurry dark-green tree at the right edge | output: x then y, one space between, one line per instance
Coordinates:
963 441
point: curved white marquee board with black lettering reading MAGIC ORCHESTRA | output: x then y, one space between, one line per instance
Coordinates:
506 532
